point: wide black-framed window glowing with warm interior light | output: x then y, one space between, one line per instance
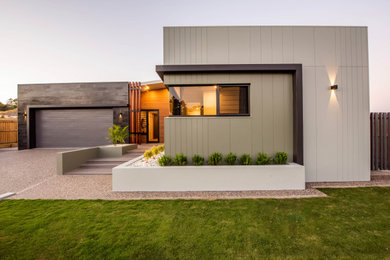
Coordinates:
209 100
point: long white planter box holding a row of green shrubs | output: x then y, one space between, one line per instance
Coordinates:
208 178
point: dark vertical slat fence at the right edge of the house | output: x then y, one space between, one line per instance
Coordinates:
380 141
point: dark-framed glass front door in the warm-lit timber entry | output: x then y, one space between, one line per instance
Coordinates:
150 125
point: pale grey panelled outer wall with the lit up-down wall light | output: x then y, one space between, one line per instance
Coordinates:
336 126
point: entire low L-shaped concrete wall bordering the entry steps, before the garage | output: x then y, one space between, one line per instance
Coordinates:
70 160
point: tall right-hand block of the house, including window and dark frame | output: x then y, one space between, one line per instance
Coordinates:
281 79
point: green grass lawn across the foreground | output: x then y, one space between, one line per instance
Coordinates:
349 223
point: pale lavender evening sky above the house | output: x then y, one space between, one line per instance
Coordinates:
45 41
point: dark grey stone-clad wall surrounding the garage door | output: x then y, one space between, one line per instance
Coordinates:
102 94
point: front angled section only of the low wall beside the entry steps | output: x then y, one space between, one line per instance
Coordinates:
68 161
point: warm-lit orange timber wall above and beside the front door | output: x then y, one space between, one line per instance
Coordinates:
157 99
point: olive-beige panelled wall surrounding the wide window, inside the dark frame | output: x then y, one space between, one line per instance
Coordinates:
269 128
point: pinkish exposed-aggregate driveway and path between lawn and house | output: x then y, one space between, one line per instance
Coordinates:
32 175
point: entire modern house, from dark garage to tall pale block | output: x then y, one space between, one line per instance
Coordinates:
245 89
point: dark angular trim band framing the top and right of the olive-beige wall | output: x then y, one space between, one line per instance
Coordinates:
294 69
